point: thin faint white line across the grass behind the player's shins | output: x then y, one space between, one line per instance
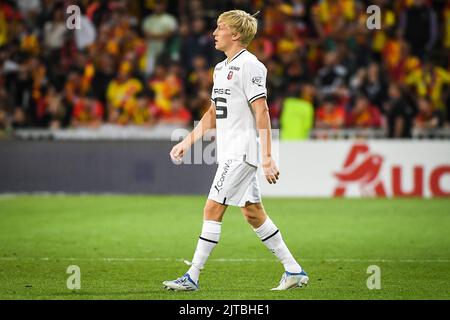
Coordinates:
231 260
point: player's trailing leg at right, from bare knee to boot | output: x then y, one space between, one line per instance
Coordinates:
270 235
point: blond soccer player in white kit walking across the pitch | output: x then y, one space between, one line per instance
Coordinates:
240 115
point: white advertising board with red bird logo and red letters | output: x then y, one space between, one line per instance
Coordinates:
372 168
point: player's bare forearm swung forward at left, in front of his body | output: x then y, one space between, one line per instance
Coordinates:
207 122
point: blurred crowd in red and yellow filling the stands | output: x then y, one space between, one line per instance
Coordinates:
147 62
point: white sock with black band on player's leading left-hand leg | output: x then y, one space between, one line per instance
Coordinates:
207 241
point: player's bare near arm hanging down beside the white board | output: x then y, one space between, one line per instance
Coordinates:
261 111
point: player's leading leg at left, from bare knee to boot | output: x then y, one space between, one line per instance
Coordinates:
212 222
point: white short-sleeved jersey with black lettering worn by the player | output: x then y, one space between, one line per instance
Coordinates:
236 85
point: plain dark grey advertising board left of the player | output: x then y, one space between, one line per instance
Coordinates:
142 167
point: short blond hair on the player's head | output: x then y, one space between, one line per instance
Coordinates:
240 22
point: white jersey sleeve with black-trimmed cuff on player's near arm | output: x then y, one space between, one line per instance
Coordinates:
254 80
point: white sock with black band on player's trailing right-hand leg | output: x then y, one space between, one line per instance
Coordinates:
271 237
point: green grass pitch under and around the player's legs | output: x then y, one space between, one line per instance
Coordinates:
126 246
